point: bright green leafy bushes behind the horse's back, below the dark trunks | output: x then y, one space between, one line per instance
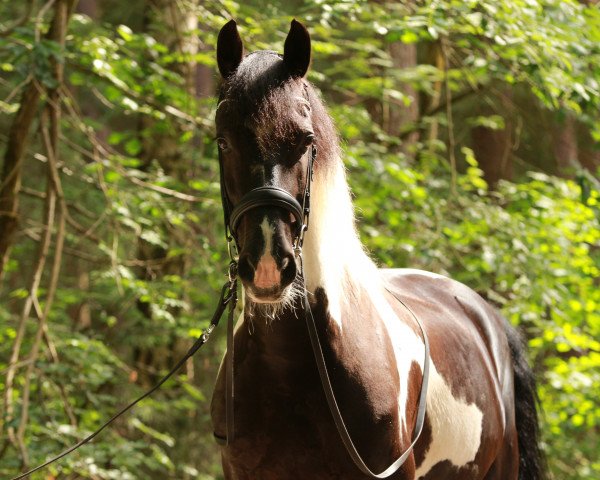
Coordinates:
530 248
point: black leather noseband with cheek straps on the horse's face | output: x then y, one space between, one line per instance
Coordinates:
269 196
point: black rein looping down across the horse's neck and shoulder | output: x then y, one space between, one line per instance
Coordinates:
335 410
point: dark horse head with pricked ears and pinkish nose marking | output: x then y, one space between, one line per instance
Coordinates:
266 141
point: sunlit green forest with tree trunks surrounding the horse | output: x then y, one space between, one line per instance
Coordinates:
471 133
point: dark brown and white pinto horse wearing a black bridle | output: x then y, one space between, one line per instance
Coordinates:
398 347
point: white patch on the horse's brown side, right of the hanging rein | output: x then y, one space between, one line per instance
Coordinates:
456 426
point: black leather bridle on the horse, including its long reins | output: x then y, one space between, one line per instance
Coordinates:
271 196
